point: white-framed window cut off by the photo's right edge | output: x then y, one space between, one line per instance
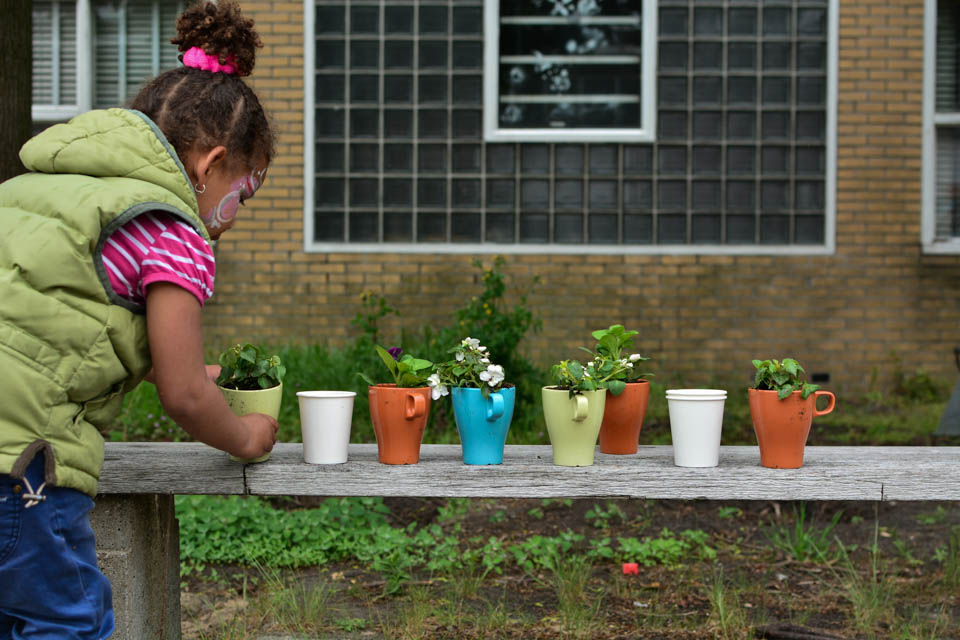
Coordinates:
941 181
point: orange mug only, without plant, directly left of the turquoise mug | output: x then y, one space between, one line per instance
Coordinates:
399 416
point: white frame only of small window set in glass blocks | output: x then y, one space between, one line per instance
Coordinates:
493 132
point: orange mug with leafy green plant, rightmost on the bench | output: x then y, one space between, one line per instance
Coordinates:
782 407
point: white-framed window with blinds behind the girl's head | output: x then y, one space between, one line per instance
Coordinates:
97 53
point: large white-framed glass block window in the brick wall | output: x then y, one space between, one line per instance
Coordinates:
739 160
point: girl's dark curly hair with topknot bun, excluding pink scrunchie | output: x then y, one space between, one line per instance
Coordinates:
198 109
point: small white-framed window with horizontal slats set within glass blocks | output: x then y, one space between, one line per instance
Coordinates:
566 69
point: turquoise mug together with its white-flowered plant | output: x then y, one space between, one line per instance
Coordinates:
482 402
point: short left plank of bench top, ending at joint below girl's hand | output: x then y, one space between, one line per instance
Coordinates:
168 468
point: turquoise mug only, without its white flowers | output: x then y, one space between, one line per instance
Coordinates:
483 422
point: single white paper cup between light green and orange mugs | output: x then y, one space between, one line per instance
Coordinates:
325 420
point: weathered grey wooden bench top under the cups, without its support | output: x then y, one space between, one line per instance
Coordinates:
829 473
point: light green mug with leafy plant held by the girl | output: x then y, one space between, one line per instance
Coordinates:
251 382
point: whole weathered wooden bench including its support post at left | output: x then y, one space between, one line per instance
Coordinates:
138 540
